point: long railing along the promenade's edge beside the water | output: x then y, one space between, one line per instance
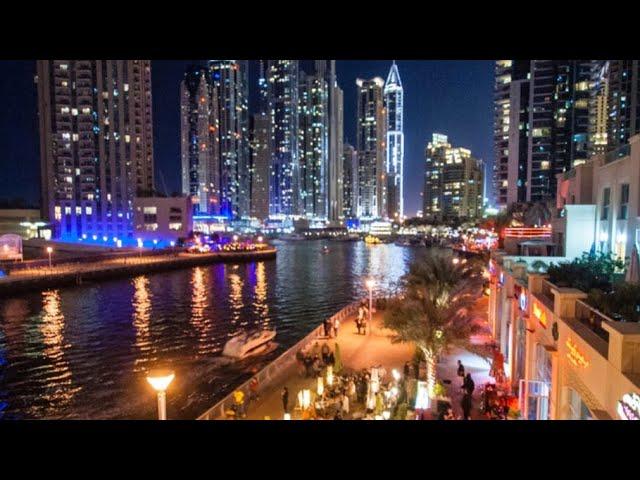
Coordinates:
279 366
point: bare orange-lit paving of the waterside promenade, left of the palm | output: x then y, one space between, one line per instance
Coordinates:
357 352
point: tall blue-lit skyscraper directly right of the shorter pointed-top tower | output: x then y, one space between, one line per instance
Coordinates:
230 85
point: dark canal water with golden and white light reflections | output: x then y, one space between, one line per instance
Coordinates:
82 352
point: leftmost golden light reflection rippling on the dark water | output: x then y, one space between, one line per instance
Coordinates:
60 390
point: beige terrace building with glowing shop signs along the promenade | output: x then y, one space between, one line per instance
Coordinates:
564 359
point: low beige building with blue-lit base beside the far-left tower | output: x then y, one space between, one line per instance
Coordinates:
162 219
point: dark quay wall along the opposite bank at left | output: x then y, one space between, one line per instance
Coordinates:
83 272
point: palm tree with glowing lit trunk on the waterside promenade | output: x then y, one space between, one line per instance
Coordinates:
433 309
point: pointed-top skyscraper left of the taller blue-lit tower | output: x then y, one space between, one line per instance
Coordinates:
199 141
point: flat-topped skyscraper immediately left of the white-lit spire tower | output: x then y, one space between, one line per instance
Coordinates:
371 186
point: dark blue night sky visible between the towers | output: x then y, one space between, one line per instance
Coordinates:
450 97
